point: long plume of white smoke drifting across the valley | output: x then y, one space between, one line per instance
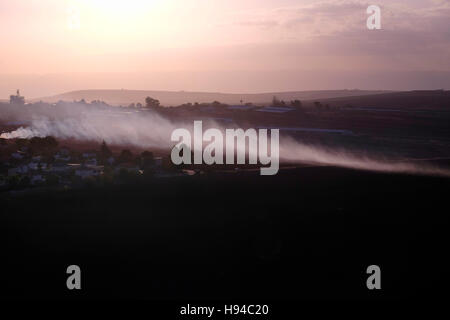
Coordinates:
150 130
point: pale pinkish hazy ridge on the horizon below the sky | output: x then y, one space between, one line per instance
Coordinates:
174 98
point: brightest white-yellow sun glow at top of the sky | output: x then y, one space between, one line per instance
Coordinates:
116 24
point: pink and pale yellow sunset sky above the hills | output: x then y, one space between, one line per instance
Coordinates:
52 46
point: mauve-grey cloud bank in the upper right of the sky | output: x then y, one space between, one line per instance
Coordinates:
415 34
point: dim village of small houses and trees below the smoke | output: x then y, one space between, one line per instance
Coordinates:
41 163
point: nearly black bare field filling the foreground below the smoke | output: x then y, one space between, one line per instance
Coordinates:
304 234
